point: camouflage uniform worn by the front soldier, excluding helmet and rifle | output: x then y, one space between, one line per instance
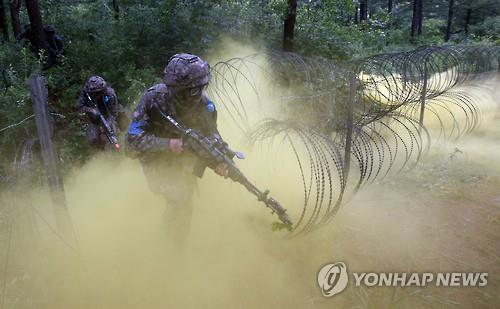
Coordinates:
149 135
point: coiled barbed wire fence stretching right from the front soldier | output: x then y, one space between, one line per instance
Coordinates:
367 113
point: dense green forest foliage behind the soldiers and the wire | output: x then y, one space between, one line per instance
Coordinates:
130 48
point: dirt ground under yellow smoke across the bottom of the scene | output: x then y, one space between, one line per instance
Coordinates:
442 216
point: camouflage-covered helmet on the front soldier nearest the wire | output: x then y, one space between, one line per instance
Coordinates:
186 71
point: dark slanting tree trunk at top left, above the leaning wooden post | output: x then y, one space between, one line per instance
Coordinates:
36 23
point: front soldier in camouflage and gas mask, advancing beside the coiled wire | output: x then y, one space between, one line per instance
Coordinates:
167 166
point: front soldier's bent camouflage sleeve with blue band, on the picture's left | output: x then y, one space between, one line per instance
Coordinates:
139 138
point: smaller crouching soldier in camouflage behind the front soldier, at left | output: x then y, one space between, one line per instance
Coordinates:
98 98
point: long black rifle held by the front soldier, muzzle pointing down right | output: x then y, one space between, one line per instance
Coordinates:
213 151
